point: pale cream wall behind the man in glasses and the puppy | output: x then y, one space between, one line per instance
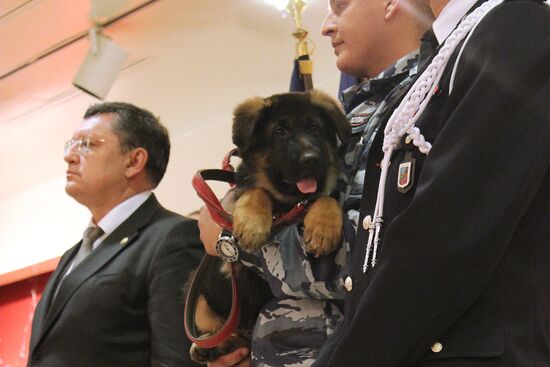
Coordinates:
201 58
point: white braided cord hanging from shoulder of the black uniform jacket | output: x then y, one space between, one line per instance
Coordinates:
404 117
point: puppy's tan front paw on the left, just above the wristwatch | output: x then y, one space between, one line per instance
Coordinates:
252 218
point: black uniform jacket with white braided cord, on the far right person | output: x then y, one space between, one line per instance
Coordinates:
463 273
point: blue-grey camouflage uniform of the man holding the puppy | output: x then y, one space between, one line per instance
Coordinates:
309 291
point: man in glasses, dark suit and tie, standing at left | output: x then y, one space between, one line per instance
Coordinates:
119 303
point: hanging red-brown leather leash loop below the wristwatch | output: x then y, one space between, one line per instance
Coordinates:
210 341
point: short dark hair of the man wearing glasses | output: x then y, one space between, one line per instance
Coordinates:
136 128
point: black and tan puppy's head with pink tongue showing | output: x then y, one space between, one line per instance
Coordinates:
288 142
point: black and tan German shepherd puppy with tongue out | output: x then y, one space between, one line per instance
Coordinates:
288 144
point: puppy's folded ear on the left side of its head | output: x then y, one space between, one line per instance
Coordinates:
245 118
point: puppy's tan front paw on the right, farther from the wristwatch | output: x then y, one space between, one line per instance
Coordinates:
323 227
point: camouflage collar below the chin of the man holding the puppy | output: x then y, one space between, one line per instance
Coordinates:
406 64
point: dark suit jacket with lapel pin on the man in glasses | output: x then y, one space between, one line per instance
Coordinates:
123 305
